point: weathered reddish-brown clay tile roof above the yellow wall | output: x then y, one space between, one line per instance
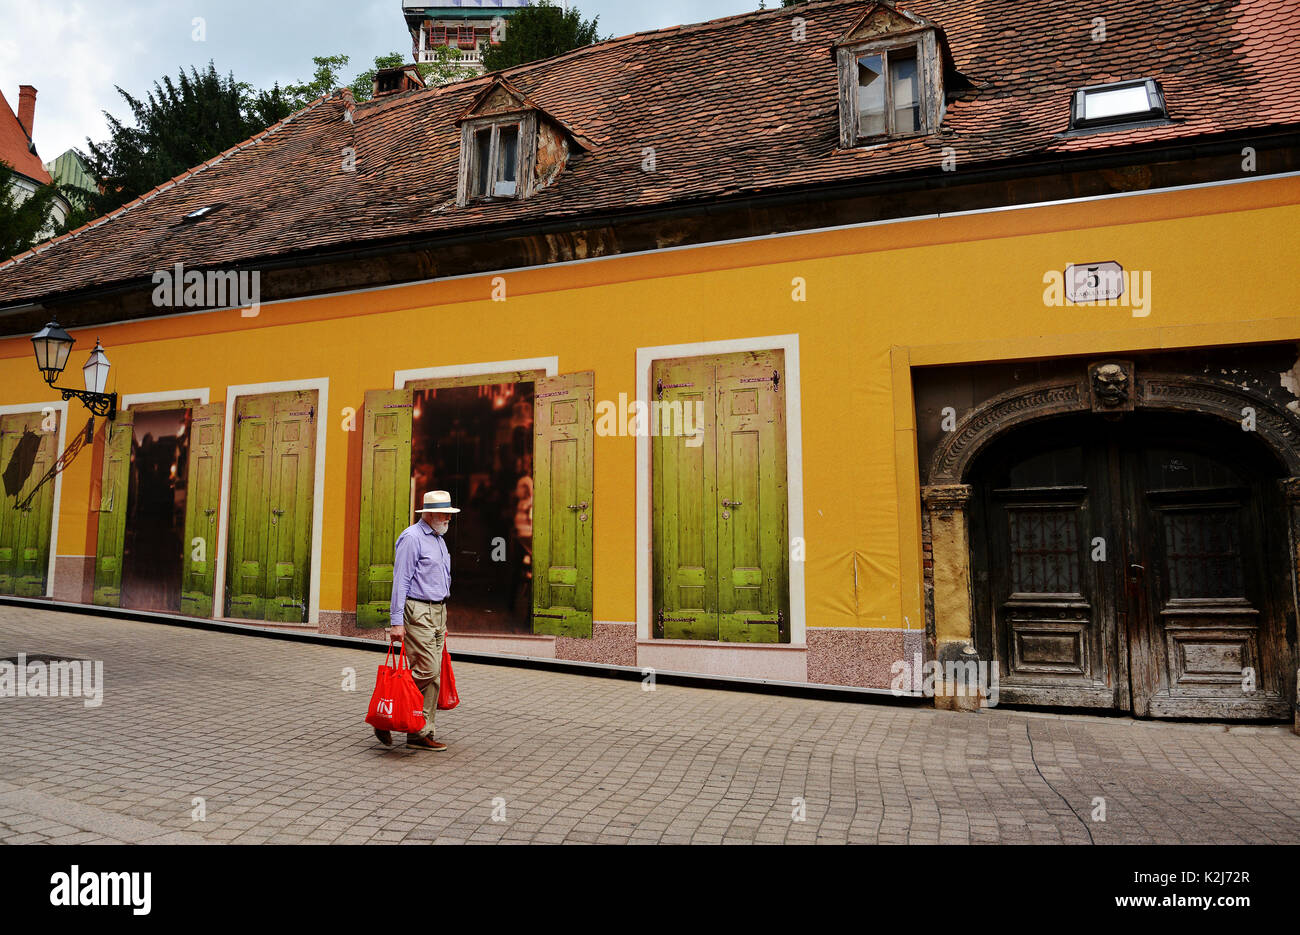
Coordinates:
731 107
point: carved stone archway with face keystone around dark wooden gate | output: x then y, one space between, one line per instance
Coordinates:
1108 388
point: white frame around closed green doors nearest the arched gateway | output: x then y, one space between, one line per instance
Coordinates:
790 344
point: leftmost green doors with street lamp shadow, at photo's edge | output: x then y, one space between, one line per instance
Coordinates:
28 451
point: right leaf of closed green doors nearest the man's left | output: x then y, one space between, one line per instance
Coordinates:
293 469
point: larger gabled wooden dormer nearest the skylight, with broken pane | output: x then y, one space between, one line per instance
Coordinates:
891 79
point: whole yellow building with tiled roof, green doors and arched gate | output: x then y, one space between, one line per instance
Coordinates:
878 336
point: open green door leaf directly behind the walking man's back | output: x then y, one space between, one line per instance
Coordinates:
385 500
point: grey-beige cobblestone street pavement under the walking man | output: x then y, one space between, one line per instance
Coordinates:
263 733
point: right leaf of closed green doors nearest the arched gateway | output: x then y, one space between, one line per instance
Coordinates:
752 542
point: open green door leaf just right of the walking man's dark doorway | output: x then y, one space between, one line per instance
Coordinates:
564 412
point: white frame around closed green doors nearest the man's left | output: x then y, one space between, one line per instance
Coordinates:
219 573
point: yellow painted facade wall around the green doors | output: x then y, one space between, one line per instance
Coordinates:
859 317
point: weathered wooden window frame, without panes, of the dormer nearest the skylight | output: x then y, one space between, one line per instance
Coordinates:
929 80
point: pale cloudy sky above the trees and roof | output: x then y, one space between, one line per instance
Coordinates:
75 51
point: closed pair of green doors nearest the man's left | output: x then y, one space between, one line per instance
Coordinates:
274 466
